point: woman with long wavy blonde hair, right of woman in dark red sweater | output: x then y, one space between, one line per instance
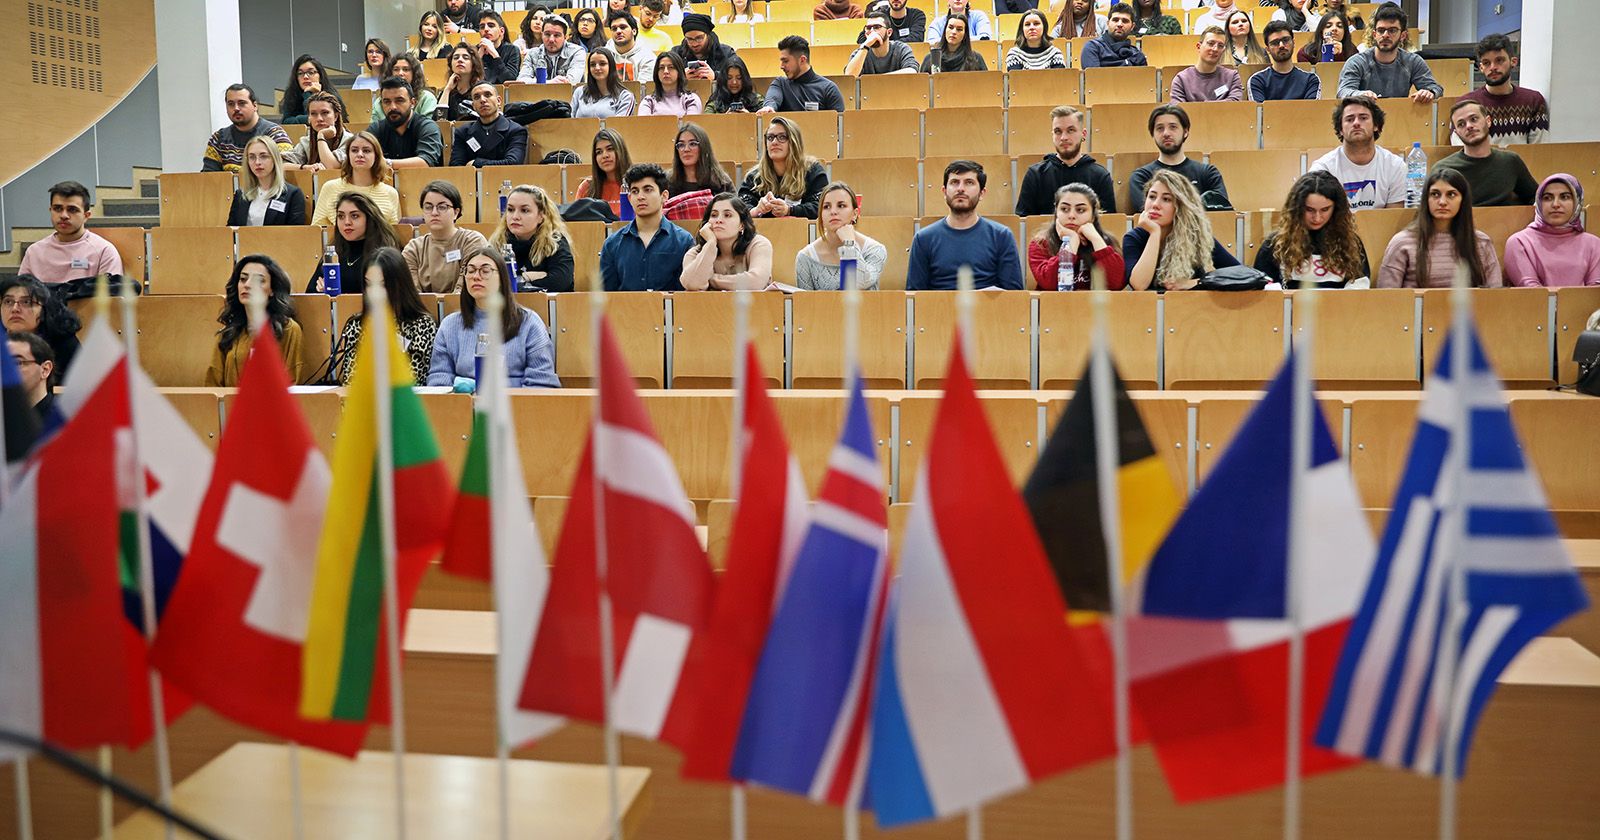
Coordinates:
1172 246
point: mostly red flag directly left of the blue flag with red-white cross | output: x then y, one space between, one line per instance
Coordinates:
769 526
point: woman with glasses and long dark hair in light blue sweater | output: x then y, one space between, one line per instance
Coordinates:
530 354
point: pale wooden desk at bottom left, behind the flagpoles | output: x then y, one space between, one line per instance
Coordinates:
246 794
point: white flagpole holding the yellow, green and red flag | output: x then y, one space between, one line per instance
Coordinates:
378 332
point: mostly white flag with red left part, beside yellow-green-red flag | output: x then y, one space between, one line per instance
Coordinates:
494 538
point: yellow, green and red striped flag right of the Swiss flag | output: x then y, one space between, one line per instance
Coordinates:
345 673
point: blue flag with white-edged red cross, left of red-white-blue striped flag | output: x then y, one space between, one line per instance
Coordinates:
806 722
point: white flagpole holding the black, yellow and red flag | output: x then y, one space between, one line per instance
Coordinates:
1106 458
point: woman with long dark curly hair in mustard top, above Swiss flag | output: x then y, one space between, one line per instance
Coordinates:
254 276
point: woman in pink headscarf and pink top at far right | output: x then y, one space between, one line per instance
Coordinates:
1554 250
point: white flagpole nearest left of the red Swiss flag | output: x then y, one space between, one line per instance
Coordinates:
130 332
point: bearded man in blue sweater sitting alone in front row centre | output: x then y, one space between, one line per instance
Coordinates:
964 239
